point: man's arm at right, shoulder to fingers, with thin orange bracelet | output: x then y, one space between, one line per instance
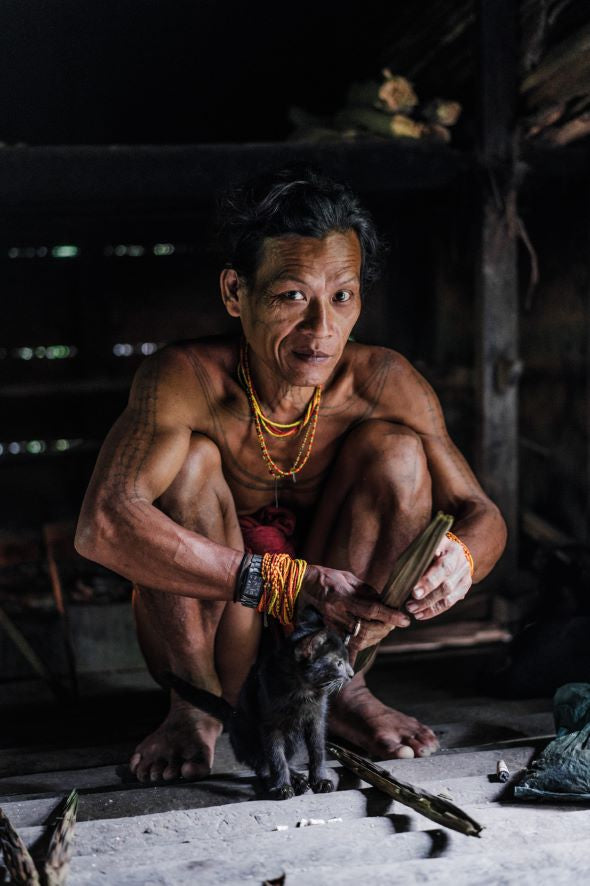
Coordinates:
409 399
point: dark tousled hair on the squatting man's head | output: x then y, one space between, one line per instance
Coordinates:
296 200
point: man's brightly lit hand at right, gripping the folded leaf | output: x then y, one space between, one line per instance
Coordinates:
445 582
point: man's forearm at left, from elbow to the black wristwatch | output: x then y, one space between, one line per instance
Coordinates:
138 541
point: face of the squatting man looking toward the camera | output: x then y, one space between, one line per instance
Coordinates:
300 310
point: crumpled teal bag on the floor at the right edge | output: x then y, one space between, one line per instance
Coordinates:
562 771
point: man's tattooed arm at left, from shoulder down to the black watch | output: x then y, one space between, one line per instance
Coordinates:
119 526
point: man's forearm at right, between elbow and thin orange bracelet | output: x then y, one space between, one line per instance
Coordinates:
480 525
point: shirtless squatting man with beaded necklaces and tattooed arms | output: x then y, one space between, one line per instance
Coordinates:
349 440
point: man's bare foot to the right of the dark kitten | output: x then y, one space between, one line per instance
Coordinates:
360 718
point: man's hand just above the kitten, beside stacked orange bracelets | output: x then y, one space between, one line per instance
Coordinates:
343 600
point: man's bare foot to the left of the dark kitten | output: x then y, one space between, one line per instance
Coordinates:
184 745
